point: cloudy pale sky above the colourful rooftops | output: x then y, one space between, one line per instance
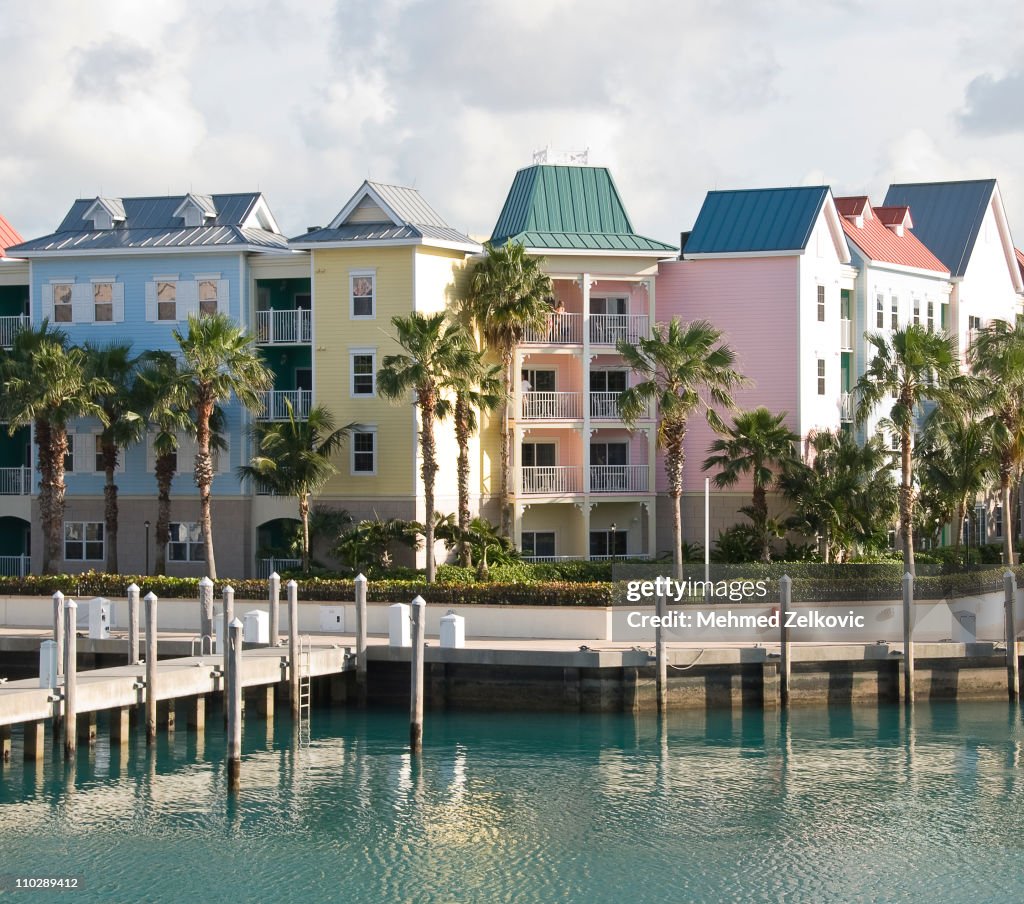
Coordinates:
306 100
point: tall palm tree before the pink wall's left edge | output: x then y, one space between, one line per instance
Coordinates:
684 369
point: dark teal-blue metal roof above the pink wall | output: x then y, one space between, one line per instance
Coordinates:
757 221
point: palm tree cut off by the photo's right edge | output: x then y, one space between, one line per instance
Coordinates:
998 360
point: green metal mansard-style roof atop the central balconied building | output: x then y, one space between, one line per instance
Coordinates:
570 208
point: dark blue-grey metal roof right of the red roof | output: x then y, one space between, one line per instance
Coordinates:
947 217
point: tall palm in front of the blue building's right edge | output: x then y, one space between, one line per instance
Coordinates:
219 361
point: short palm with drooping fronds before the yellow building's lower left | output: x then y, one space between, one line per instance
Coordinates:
294 458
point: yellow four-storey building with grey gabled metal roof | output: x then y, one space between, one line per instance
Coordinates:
387 254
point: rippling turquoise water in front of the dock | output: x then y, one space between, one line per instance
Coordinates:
823 806
